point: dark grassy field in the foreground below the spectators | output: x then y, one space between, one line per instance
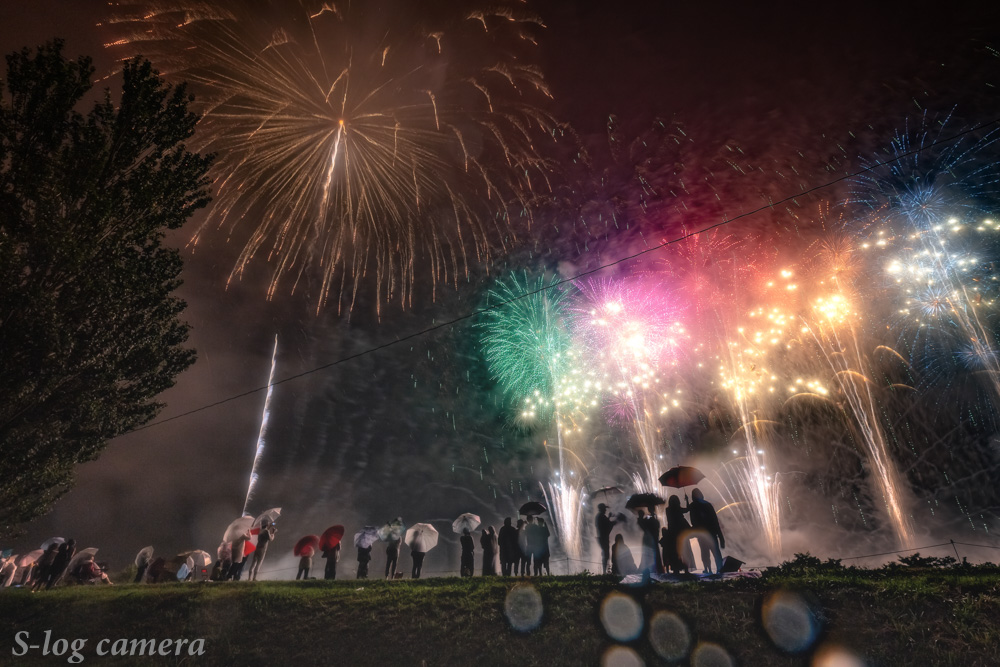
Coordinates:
901 616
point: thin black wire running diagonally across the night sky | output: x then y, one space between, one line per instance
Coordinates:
582 274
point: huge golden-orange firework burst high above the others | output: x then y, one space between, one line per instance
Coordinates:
397 139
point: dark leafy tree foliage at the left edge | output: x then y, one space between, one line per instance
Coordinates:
89 329
